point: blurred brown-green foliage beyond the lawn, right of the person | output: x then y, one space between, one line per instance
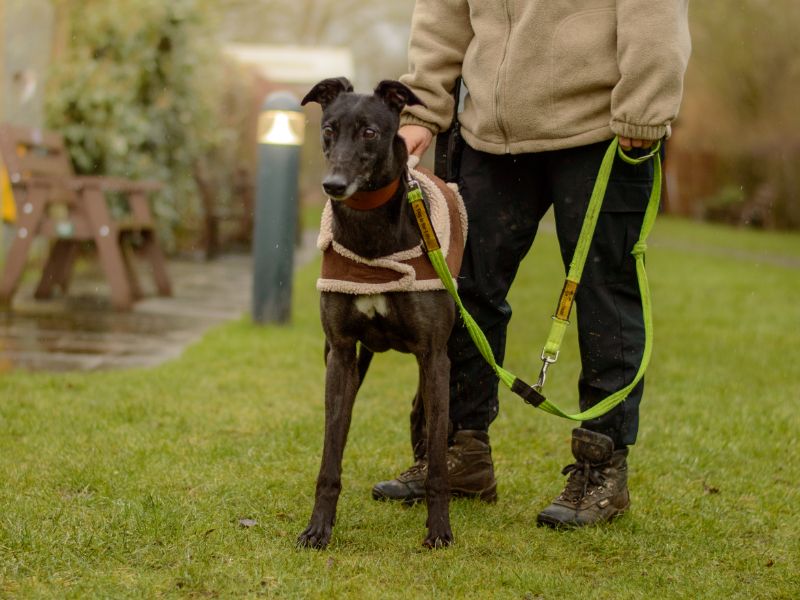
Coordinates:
736 150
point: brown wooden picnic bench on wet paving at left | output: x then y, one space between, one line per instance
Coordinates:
70 211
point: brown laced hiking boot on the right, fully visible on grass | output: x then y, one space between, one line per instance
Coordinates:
597 488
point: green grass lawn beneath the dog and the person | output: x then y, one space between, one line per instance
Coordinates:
133 484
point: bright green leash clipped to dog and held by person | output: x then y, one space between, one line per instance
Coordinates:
532 394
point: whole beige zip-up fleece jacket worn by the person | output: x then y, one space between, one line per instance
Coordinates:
549 74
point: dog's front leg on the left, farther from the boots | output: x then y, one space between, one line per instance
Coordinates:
341 384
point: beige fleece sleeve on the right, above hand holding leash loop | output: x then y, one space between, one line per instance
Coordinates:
653 48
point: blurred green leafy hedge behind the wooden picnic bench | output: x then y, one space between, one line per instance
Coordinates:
135 95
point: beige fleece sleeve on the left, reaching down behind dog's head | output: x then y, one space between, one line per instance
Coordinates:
440 34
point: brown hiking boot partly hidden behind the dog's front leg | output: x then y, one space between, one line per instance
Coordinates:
469 468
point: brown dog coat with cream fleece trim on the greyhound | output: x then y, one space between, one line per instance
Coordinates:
409 270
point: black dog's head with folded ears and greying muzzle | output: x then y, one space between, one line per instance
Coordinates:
359 134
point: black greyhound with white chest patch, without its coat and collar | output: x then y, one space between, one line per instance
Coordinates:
366 155
